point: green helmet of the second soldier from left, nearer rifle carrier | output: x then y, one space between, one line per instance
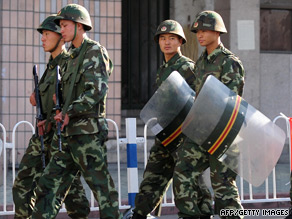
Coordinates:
76 13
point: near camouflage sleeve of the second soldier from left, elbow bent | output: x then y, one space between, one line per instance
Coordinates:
95 71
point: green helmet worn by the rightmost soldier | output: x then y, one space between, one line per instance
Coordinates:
208 20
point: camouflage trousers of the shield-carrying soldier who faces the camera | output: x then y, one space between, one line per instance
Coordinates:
161 169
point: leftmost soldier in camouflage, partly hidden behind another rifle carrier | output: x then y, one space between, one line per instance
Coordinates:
31 168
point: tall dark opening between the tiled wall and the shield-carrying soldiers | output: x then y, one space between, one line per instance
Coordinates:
141 56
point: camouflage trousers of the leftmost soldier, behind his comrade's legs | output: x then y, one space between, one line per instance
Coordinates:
30 170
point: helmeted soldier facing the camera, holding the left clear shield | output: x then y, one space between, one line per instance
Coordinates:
161 165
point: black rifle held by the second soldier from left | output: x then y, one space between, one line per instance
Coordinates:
58 106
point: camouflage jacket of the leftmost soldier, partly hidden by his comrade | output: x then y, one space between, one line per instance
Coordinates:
47 84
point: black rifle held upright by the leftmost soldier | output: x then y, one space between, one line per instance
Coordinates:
39 116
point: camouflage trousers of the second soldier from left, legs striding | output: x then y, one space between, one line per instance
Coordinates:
83 153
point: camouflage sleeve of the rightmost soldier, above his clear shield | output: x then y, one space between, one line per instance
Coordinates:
233 75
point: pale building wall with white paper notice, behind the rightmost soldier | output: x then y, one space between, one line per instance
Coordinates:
268 75
